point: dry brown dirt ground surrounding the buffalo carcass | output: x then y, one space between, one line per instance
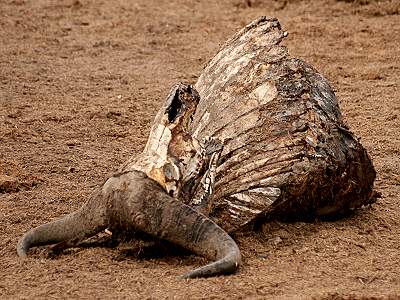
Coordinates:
80 82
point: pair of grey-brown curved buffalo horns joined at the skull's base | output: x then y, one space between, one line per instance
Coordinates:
133 200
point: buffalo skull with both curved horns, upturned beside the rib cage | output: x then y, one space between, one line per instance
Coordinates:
137 198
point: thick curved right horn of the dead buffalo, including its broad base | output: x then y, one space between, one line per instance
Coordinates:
144 204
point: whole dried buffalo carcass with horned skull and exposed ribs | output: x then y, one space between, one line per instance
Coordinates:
266 139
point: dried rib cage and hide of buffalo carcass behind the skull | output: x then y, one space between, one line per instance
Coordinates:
287 152
